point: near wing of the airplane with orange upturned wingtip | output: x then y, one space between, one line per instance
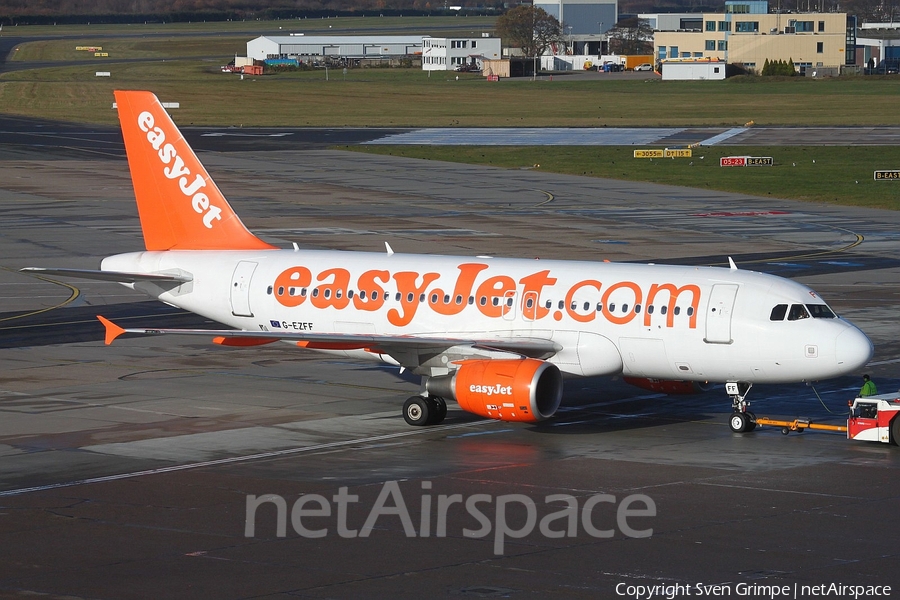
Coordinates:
406 350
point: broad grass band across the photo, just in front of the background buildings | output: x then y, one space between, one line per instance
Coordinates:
410 98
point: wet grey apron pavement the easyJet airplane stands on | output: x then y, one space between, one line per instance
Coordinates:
125 471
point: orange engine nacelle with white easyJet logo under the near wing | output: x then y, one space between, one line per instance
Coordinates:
525 390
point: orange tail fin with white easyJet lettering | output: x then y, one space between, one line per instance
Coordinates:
179 204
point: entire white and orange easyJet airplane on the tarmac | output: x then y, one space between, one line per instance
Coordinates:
497 335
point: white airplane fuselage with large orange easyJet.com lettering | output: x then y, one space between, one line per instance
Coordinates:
646 321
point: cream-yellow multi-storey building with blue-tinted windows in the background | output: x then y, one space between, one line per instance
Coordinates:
747 34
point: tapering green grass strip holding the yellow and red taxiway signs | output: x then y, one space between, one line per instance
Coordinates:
839 175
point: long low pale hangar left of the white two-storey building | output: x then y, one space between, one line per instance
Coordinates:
307 47
